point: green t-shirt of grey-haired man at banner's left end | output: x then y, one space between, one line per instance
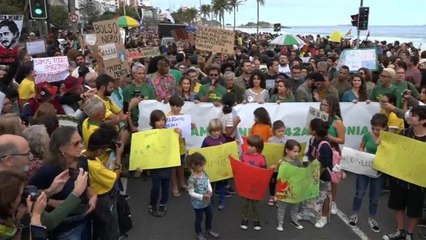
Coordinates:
146 90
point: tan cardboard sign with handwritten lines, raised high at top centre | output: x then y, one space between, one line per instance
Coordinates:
215 39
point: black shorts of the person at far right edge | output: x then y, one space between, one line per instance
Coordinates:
412 199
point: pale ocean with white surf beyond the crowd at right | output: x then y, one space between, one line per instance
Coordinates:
415 34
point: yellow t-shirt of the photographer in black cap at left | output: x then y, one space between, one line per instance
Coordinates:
102 179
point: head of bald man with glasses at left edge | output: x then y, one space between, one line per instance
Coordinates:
15 153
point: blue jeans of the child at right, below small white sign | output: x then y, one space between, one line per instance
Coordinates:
376 186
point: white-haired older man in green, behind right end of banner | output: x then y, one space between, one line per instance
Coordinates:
385 85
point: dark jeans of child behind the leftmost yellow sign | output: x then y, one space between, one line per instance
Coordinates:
159 180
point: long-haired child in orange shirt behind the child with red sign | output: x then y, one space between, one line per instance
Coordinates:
262 124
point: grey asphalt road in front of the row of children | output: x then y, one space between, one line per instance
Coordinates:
178 224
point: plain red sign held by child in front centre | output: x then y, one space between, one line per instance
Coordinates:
250 182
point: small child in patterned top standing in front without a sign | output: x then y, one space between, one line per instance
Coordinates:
200 190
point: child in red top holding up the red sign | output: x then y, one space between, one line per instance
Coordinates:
255 158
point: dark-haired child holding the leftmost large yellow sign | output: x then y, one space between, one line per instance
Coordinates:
159 177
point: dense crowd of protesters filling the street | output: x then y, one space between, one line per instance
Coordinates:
67 179
